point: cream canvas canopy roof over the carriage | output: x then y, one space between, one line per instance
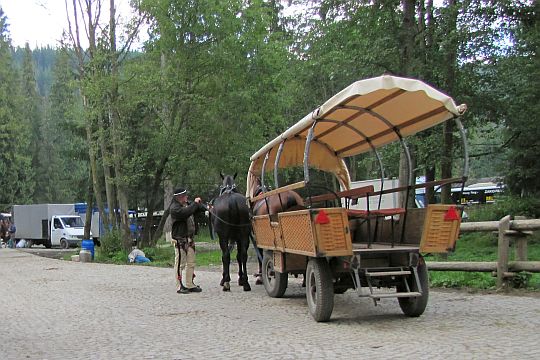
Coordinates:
367 114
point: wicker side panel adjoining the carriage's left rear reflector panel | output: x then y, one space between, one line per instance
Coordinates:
297 232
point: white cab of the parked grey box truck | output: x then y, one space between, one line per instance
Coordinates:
66 230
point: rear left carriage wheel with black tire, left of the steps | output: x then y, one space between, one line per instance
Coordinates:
319 289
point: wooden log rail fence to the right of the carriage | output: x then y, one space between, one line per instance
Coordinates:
507 229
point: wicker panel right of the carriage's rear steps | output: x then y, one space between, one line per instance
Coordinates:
439 235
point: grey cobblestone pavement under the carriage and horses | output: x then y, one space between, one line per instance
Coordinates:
54 309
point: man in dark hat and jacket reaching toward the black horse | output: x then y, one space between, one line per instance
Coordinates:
183 232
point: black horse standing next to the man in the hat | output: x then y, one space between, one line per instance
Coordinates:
230 218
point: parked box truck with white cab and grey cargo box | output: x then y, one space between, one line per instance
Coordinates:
48 224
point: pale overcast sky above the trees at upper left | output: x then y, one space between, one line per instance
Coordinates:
40 22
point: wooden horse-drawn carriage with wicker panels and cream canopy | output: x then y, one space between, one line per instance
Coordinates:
338 245
